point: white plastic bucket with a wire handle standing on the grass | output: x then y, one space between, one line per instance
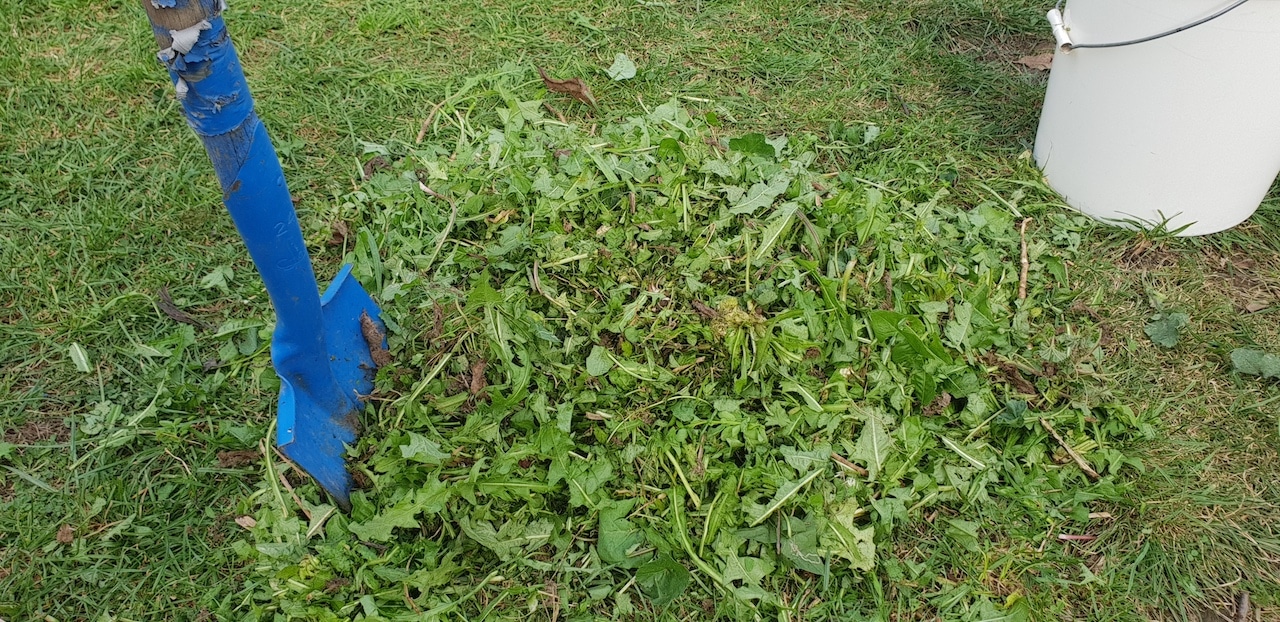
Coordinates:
1183 130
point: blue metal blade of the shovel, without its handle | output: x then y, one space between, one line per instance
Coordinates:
317 437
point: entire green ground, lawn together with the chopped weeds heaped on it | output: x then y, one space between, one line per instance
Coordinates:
749 339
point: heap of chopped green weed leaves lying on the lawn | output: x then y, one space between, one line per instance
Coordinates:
642 368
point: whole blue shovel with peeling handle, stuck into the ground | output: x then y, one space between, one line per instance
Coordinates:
319 349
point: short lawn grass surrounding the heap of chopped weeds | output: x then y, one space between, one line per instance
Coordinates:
106 198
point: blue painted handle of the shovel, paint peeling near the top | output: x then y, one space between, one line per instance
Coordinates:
218 106
